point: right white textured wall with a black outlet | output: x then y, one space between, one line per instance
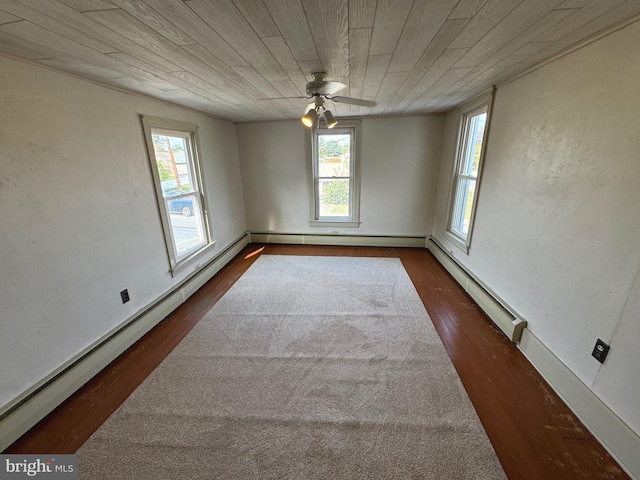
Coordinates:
557 232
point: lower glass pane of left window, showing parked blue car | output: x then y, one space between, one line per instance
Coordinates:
187 226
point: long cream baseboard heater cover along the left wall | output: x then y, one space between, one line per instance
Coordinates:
17 421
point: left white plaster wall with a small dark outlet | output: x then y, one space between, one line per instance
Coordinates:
78 216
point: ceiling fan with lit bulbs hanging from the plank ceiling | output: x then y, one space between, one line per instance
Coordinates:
320 89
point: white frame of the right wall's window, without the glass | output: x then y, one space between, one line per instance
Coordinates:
467 112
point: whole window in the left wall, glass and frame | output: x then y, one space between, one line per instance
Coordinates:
175 164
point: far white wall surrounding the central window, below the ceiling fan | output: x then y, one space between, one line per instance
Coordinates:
398 164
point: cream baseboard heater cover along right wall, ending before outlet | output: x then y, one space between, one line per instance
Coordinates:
508 323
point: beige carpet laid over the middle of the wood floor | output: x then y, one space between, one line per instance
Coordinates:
307 368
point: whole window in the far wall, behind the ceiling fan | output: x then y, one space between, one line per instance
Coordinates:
335 183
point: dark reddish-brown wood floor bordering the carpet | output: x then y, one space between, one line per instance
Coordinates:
534 434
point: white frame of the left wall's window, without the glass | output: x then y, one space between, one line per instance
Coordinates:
188 131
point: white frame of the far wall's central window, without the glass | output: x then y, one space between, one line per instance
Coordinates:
351 127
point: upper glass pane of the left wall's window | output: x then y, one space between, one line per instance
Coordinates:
172 160
